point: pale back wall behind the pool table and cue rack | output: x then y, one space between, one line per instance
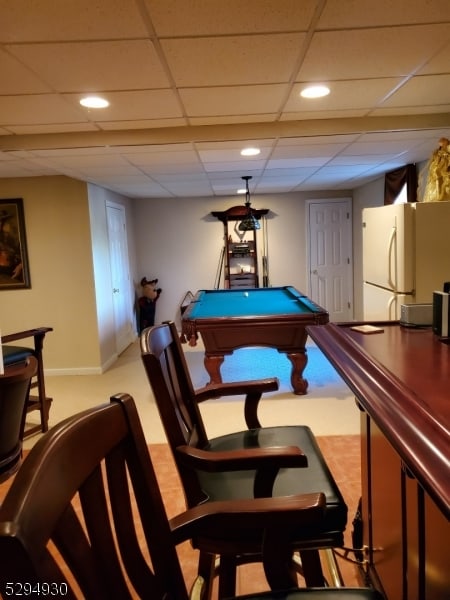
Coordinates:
179 241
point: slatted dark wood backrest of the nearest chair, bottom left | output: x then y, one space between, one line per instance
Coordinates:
83 487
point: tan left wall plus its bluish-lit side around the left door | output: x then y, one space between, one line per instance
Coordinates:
70 291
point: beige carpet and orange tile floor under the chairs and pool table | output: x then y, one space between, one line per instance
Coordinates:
328 408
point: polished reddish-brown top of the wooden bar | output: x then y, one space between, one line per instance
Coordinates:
401 377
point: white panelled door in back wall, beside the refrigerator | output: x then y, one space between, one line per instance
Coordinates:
330 257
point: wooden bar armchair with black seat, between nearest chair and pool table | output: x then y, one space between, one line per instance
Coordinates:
232 466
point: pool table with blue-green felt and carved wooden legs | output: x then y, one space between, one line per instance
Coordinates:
230 319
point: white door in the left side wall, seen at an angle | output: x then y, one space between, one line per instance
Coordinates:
120 276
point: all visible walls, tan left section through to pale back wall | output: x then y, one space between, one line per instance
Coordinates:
176 240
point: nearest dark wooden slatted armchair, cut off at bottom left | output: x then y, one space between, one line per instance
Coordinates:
84 518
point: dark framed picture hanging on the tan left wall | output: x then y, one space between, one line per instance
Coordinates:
14 271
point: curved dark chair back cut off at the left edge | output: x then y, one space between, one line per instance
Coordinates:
14 392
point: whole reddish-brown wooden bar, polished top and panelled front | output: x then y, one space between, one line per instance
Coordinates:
401 380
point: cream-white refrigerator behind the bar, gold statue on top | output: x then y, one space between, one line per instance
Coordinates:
406 256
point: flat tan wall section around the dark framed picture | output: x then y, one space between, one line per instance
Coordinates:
60 259
